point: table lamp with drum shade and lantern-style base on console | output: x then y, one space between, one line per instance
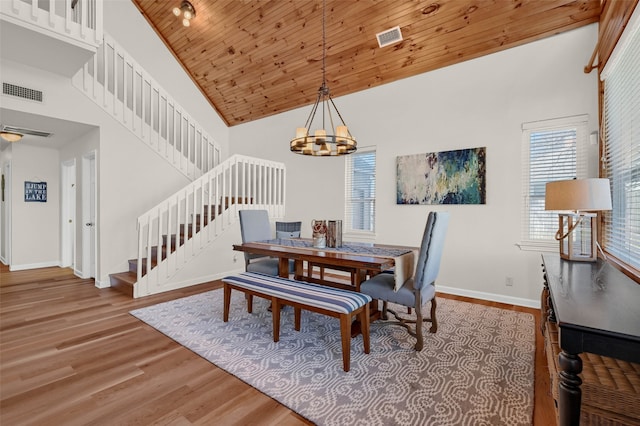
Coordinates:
577 200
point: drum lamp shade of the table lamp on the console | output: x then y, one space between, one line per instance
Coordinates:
578 194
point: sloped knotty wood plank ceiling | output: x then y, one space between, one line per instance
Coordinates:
255 58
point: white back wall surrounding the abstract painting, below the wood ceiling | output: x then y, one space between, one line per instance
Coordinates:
478 103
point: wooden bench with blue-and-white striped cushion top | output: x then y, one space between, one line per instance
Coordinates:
338 303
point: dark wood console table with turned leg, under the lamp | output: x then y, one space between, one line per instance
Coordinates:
597 309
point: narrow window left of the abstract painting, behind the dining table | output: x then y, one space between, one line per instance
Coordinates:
360 192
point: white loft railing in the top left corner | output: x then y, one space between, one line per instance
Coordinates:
80 21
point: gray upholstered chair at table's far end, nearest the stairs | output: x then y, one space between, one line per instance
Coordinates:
255 226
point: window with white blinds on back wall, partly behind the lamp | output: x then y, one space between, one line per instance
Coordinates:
552 150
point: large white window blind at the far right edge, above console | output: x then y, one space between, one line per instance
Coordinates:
621 236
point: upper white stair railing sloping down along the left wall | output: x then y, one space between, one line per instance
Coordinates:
125 90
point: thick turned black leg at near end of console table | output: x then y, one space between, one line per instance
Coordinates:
569 391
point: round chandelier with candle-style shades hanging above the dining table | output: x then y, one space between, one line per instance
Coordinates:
323 143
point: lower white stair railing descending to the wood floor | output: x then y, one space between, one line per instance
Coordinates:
177 229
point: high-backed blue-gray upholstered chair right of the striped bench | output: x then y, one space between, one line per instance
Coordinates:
418 289
